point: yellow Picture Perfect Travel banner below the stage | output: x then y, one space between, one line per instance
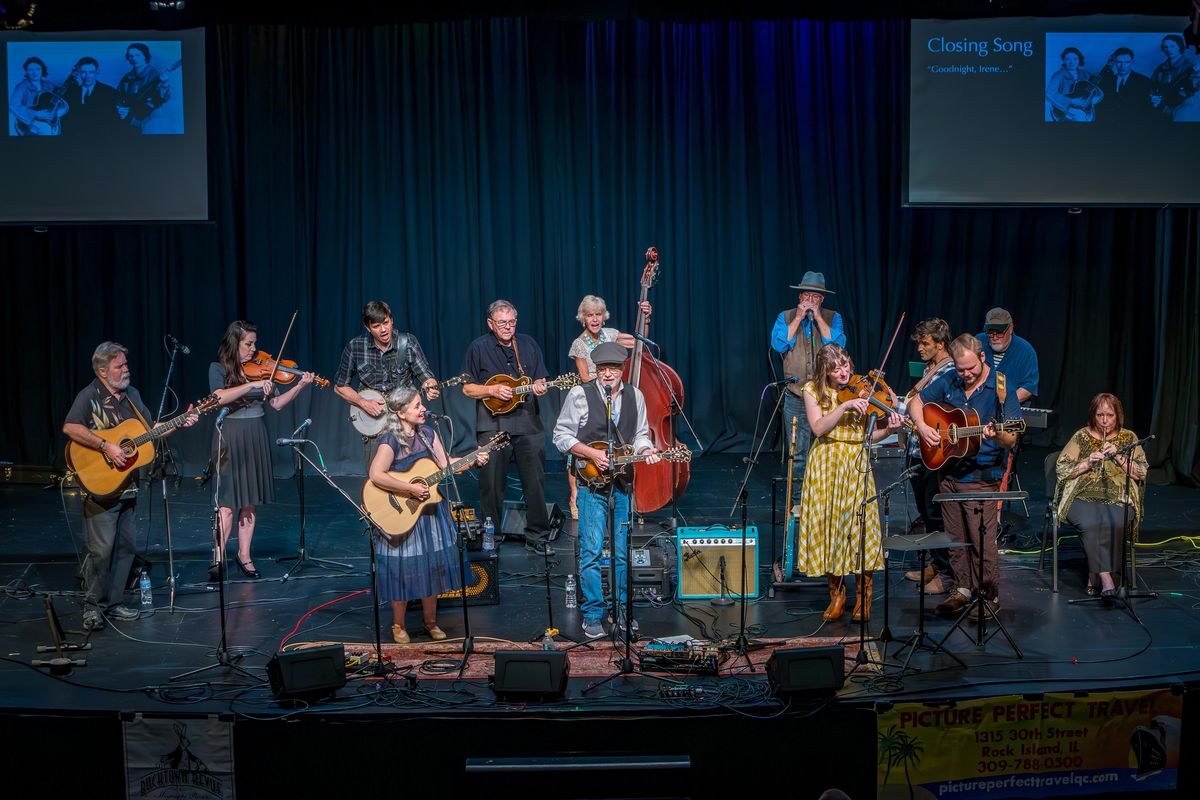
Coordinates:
1015 747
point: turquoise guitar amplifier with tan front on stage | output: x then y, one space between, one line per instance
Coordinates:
699 555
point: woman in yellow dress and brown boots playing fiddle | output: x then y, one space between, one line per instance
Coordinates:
836 483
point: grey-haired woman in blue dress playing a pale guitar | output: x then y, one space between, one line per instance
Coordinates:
424 564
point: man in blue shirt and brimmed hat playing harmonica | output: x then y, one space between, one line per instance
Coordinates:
799 334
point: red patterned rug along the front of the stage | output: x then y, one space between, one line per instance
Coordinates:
595 659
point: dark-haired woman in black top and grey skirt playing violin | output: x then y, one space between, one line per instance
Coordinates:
244 462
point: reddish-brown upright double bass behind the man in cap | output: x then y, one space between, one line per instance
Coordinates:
656 485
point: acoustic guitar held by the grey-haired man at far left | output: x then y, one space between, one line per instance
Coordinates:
100 477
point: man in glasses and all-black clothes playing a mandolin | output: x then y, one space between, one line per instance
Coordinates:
503 352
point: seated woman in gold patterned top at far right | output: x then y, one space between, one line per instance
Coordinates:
1093 489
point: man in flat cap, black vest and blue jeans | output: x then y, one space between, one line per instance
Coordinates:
583 423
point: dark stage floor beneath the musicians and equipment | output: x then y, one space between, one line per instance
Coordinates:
1064 646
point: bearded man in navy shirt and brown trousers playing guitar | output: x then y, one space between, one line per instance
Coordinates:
976 387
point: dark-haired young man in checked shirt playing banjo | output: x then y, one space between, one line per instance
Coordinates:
382 360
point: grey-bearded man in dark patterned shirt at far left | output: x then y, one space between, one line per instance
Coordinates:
110 525
